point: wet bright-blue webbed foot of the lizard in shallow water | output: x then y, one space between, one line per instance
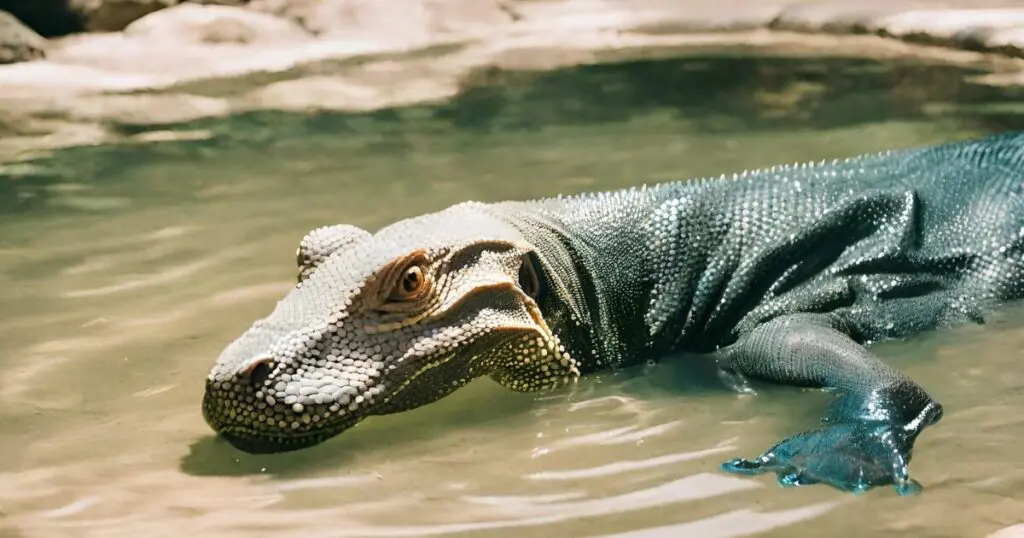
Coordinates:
851 458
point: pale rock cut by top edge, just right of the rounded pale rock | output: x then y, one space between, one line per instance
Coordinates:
421 22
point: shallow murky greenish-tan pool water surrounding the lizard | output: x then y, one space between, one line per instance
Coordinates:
129 268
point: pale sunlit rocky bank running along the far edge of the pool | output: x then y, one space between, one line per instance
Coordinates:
104 63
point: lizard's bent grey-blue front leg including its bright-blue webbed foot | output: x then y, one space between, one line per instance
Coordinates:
870 429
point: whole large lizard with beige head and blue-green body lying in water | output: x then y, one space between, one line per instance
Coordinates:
783 275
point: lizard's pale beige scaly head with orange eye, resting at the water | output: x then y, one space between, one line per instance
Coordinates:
386 323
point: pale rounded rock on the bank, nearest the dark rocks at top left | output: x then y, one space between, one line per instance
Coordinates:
216 24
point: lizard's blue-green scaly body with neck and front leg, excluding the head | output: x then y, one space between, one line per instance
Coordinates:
785 274
